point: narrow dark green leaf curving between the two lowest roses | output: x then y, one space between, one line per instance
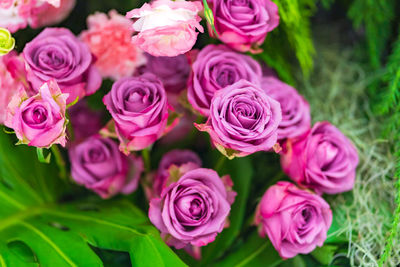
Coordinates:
241 172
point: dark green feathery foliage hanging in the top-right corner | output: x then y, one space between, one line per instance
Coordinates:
376 17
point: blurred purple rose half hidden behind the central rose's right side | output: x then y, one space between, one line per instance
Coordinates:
296 118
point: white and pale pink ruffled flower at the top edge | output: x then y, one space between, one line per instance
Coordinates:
166 28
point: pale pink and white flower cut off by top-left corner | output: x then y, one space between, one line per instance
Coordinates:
18 14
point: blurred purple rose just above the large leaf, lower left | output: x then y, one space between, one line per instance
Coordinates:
97 164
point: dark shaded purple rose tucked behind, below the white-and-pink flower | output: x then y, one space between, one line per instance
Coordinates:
172 71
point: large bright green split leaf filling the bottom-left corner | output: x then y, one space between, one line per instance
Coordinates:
35 230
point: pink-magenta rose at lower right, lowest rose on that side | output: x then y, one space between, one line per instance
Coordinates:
295 220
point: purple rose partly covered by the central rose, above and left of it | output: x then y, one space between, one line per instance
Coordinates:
215 68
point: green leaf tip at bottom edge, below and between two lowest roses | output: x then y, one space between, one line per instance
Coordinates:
256 251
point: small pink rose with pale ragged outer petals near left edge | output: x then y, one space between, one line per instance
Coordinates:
39 120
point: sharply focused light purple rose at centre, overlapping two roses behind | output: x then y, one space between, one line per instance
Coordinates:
243 120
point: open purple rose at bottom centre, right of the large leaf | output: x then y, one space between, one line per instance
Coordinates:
193 210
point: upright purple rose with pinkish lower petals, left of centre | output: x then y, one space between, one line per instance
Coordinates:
139 109
